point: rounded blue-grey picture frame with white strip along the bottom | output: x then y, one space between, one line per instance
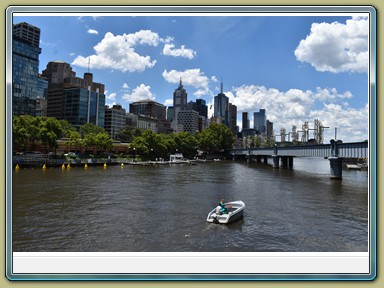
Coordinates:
16 263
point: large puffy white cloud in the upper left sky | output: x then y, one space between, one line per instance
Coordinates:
117 52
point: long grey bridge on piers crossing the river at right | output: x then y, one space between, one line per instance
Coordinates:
335 152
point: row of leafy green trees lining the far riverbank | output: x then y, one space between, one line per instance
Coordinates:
147 144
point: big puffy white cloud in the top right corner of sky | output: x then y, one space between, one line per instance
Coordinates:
336 47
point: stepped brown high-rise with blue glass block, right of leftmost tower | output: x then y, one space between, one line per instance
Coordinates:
77 100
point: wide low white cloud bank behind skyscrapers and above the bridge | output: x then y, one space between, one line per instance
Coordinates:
294 107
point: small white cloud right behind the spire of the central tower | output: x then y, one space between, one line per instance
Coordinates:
193 77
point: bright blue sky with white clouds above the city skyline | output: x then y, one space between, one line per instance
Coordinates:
297 68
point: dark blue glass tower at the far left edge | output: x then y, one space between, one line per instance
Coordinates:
25 68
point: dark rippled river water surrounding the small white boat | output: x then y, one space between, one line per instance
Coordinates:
164 208
